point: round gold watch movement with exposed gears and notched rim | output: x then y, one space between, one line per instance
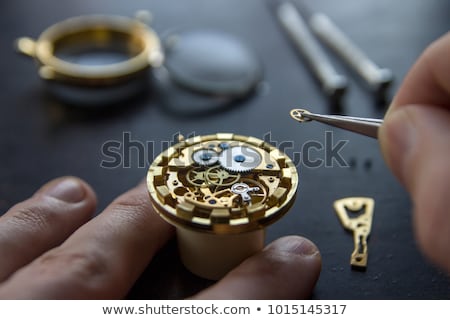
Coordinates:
222 184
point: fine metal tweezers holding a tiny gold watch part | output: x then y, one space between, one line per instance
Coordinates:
366 126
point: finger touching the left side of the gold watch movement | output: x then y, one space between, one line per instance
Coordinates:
102 259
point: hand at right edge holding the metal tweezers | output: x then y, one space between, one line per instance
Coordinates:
415 141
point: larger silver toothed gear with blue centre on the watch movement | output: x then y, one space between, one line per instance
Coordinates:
239 159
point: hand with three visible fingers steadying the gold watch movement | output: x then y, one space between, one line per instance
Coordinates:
52 249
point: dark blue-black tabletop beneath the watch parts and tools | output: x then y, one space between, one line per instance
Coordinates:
41 138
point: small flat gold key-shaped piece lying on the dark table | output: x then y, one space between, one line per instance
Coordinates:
360 225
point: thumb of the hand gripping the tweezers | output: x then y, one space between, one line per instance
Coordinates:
415 141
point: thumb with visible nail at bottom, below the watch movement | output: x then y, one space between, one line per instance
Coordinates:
288 268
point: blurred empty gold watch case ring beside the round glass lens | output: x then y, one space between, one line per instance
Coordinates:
141 41
